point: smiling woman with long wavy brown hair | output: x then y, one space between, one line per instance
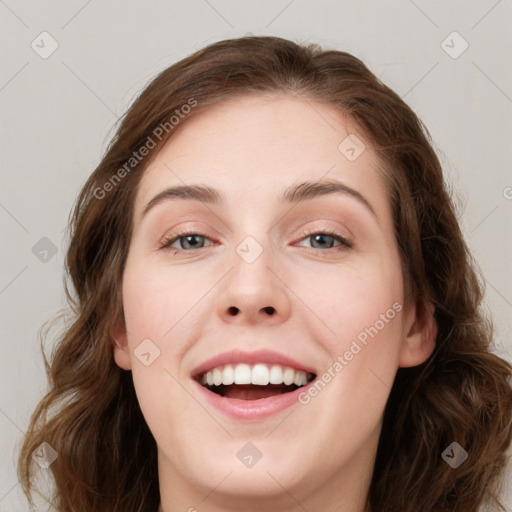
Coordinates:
275 308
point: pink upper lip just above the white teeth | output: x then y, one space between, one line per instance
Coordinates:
259 356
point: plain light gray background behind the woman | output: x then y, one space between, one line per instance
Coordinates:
58 114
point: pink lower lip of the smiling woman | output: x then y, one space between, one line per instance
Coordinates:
251 409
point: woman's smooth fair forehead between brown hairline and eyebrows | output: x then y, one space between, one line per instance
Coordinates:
252 148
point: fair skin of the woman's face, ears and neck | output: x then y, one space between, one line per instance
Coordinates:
195 303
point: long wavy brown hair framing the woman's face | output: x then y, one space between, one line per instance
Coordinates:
107 458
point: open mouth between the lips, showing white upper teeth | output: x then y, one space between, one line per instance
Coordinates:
253 382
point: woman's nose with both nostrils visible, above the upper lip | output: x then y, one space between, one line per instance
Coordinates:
255 292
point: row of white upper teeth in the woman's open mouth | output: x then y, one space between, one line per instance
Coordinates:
259 374
